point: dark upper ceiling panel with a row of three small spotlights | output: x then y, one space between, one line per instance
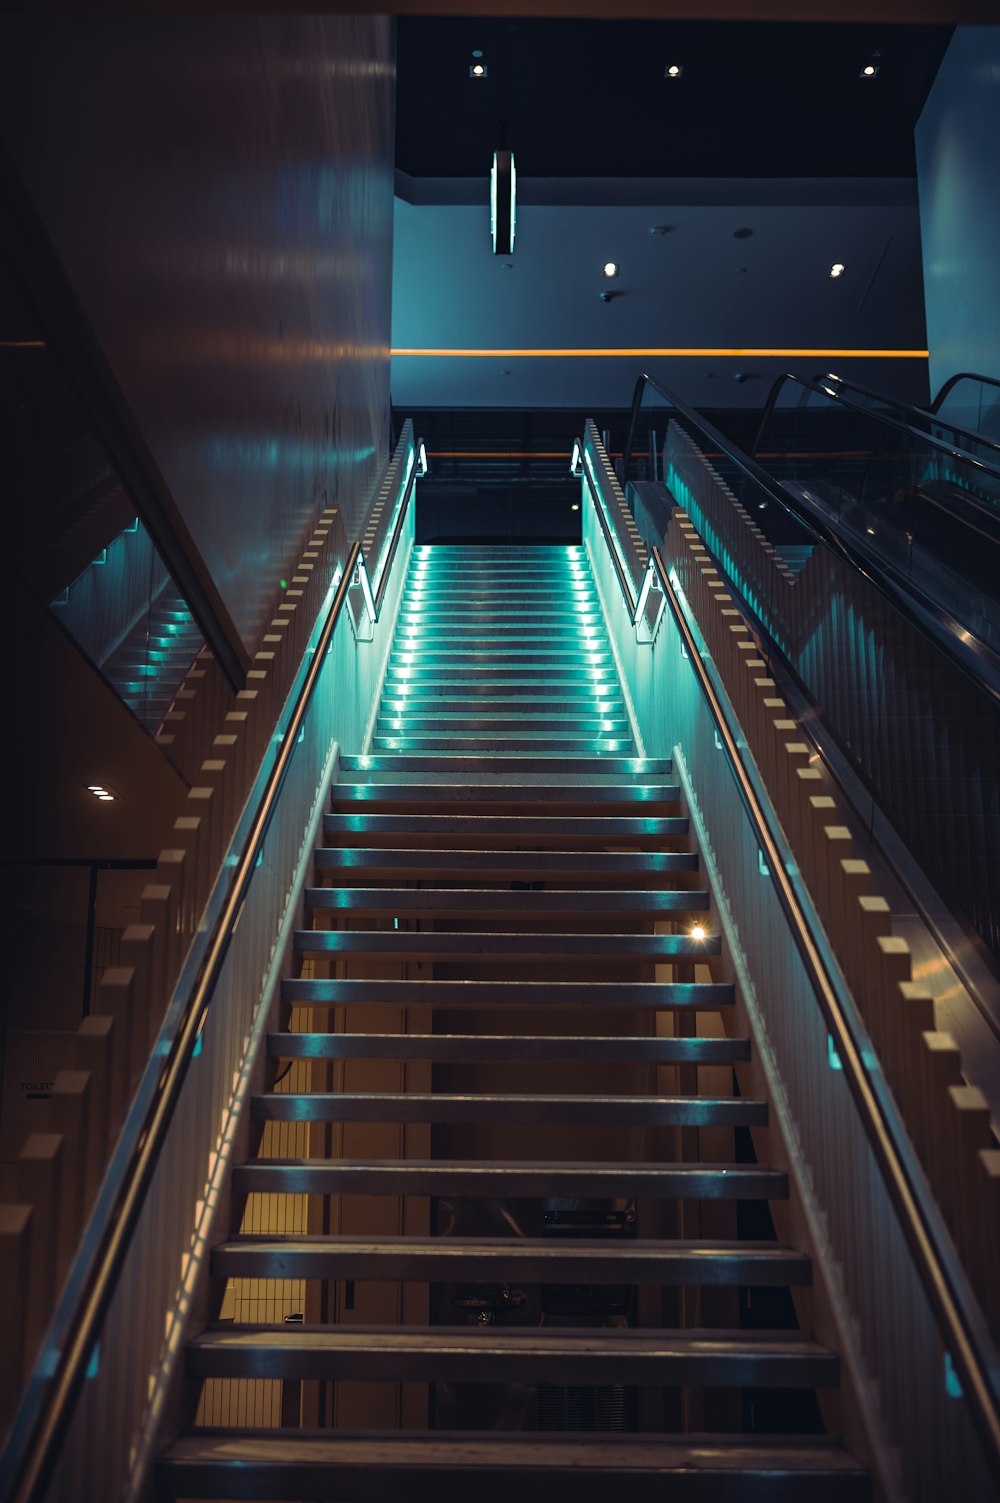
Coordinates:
590 100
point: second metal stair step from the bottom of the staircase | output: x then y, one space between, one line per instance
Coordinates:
468 1355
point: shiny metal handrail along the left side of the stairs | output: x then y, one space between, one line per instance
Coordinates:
40 1448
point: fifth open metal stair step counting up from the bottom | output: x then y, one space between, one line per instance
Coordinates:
440 1107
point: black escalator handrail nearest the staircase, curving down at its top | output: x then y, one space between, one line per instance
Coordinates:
984 674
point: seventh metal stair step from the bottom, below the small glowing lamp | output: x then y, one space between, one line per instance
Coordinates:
659 996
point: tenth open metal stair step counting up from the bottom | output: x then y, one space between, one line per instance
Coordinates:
362 862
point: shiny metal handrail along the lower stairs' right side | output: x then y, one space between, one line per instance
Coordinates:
960 1320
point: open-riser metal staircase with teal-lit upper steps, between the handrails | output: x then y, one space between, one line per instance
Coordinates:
535 1248
